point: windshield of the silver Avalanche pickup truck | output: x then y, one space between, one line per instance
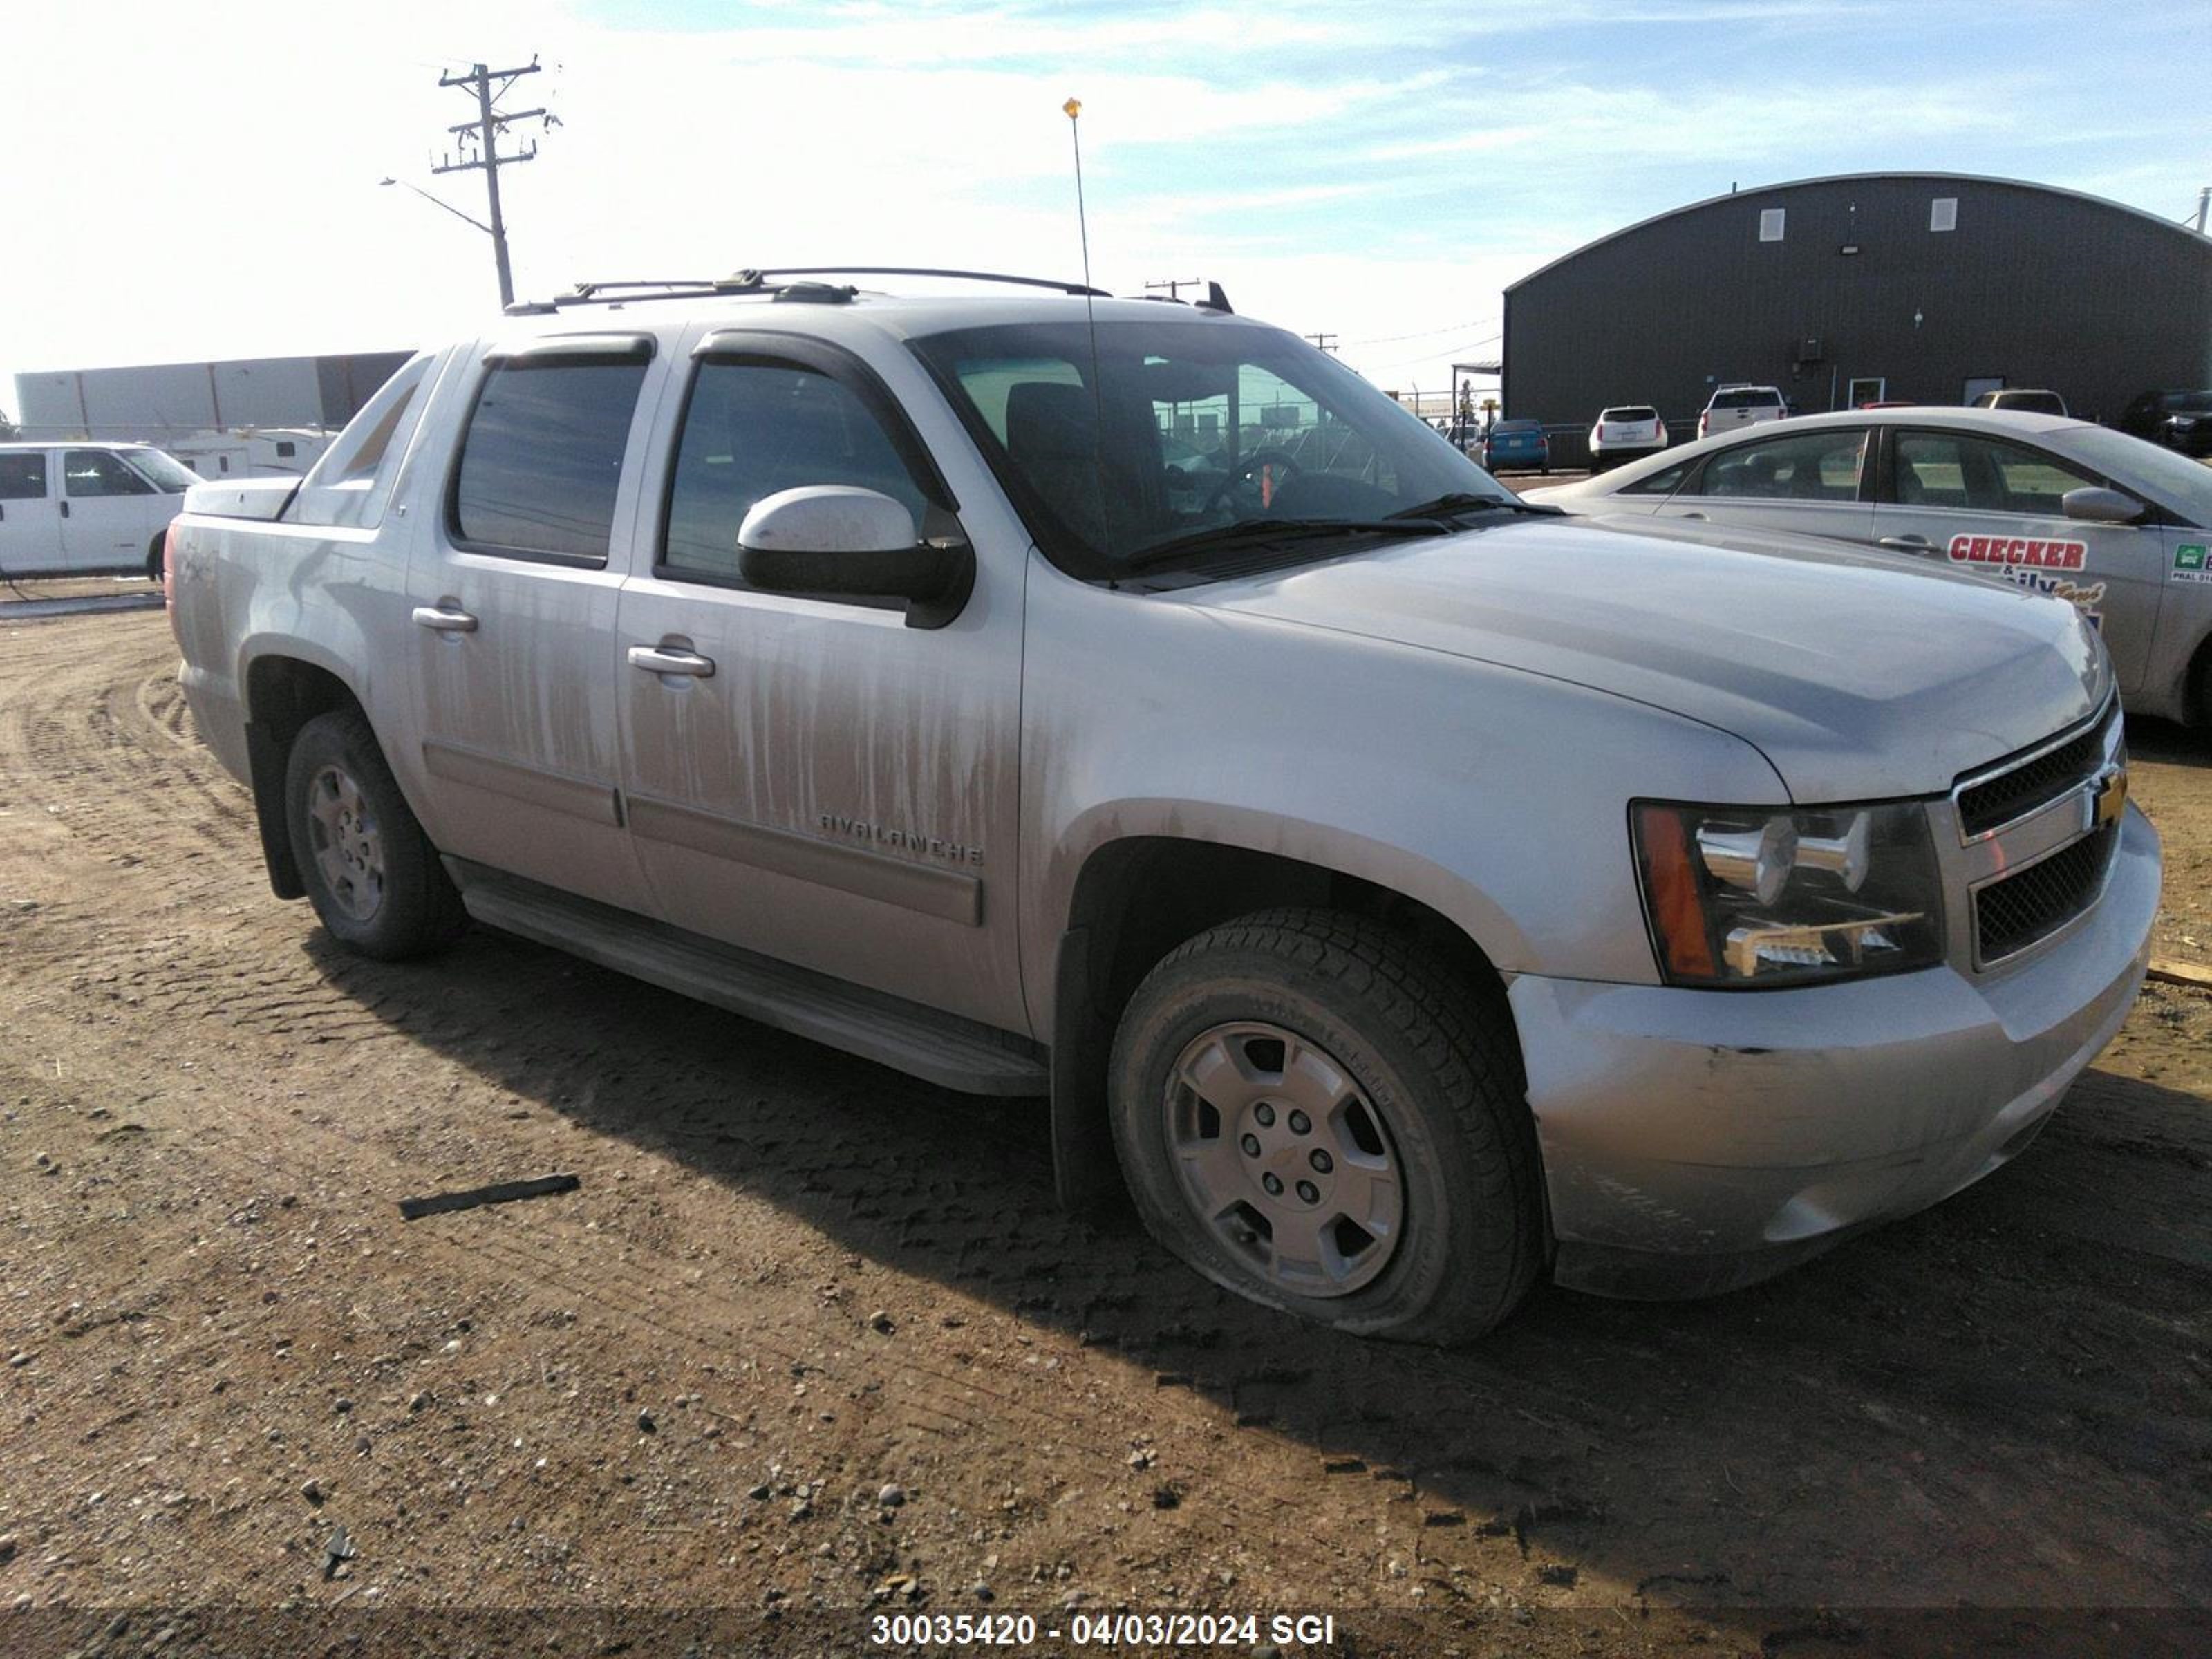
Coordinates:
1191 426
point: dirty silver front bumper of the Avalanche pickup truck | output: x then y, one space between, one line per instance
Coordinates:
1704 1140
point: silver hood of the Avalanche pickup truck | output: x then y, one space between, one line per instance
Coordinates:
1857 674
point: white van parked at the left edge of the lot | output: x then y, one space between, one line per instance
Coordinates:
87 508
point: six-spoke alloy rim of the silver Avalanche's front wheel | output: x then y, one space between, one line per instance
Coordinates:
1284 1158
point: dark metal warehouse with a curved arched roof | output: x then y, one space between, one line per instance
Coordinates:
1926 286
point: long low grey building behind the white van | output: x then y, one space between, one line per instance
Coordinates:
171 399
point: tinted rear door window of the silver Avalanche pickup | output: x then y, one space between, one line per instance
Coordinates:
543 459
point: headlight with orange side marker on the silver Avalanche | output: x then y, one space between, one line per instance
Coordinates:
1755 897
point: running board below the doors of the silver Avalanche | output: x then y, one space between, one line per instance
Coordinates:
875 1025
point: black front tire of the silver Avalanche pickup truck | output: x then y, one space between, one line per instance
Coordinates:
1434 1065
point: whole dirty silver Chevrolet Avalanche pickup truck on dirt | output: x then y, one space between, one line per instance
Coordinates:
1401 890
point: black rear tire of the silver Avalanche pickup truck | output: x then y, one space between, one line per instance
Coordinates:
410 908
